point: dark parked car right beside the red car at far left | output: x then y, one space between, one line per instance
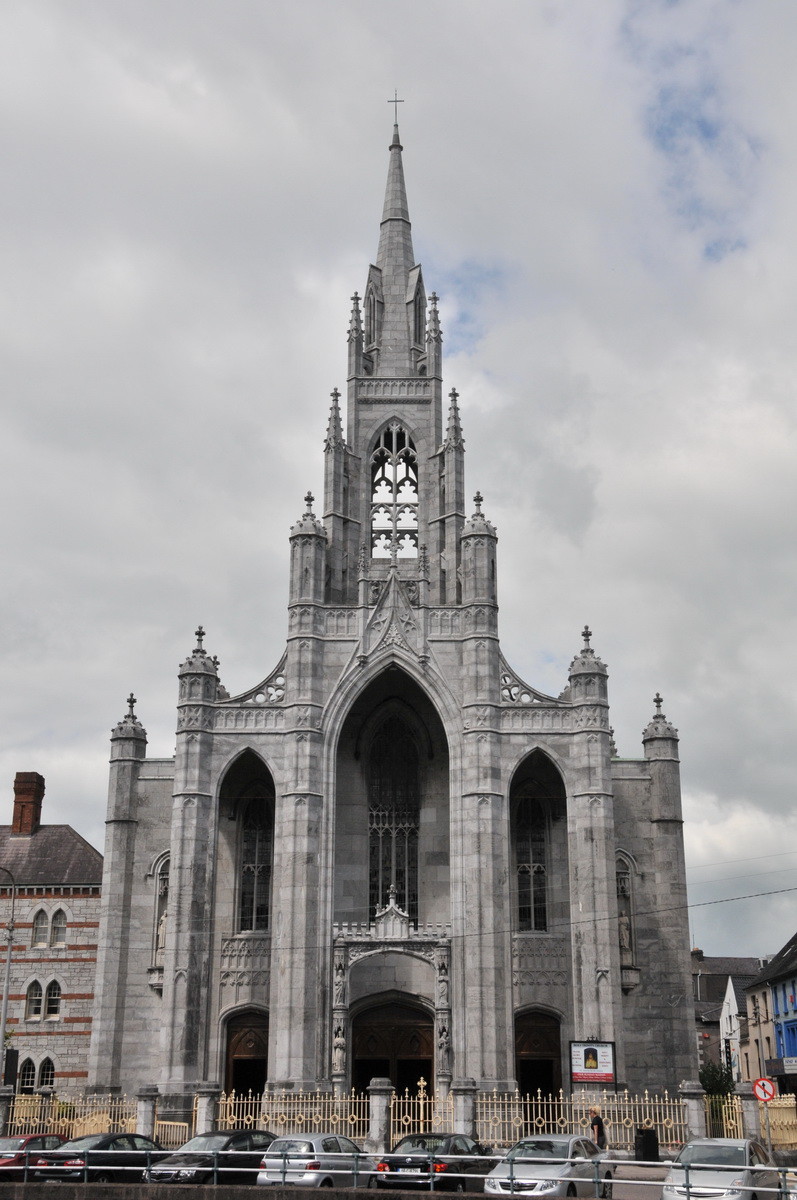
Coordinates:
99 1159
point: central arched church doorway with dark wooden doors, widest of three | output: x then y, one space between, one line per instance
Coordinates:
394 1042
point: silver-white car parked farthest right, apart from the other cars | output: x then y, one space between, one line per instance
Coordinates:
721 1167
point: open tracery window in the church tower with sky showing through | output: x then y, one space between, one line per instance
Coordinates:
394 495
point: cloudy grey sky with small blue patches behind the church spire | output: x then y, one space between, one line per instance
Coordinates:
604 197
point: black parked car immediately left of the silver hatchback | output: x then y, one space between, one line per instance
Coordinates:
224 1156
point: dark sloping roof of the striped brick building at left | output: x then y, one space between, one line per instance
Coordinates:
55 856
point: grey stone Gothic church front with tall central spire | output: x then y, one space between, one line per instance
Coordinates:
392 857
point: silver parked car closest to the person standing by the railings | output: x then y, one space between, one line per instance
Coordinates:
558 1166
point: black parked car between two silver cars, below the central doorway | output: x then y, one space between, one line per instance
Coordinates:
448 1162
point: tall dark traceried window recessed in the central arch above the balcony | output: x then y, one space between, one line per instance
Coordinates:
394 801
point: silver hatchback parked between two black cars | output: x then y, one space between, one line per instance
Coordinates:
320 1161
